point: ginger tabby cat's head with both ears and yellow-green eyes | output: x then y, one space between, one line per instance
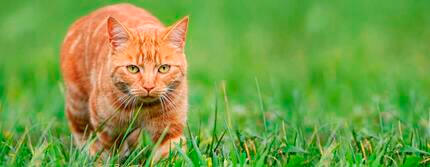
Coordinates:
147 64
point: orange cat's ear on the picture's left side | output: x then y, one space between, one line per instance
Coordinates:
117 33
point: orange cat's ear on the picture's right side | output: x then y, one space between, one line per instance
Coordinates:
177 33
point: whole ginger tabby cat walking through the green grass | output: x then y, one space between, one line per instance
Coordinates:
120 63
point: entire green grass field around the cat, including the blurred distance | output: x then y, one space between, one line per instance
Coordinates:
280 82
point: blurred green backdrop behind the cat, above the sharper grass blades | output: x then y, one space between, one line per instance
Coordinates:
362 64
